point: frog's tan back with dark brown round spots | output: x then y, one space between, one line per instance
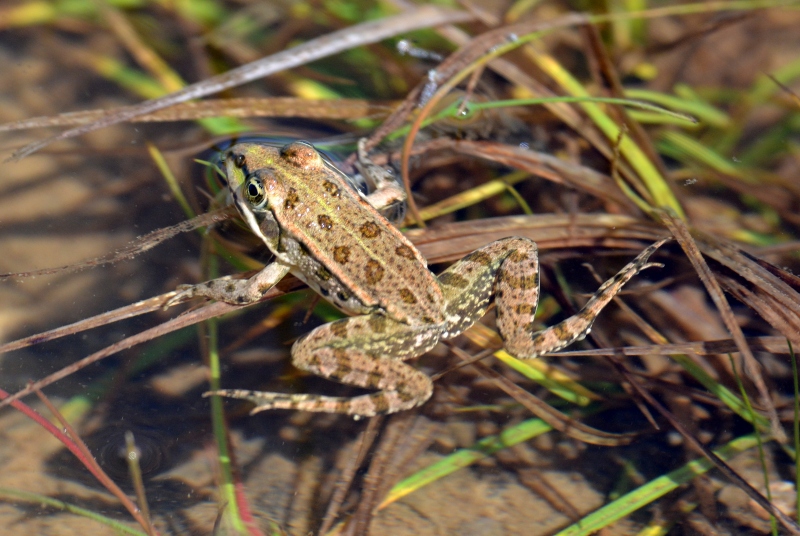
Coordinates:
339 230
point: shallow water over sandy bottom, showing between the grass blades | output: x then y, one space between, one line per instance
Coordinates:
87 197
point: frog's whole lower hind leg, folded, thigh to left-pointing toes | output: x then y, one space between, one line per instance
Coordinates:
365 351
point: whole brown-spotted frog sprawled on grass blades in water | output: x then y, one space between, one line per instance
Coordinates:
336 240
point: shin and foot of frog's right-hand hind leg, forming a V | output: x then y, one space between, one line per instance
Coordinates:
515 318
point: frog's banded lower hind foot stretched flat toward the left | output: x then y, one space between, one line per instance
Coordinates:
358 406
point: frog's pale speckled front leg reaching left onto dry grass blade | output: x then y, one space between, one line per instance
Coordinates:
235 291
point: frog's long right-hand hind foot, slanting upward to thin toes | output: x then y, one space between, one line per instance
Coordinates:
575 328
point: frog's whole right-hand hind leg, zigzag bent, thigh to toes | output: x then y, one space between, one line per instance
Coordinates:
509 269
